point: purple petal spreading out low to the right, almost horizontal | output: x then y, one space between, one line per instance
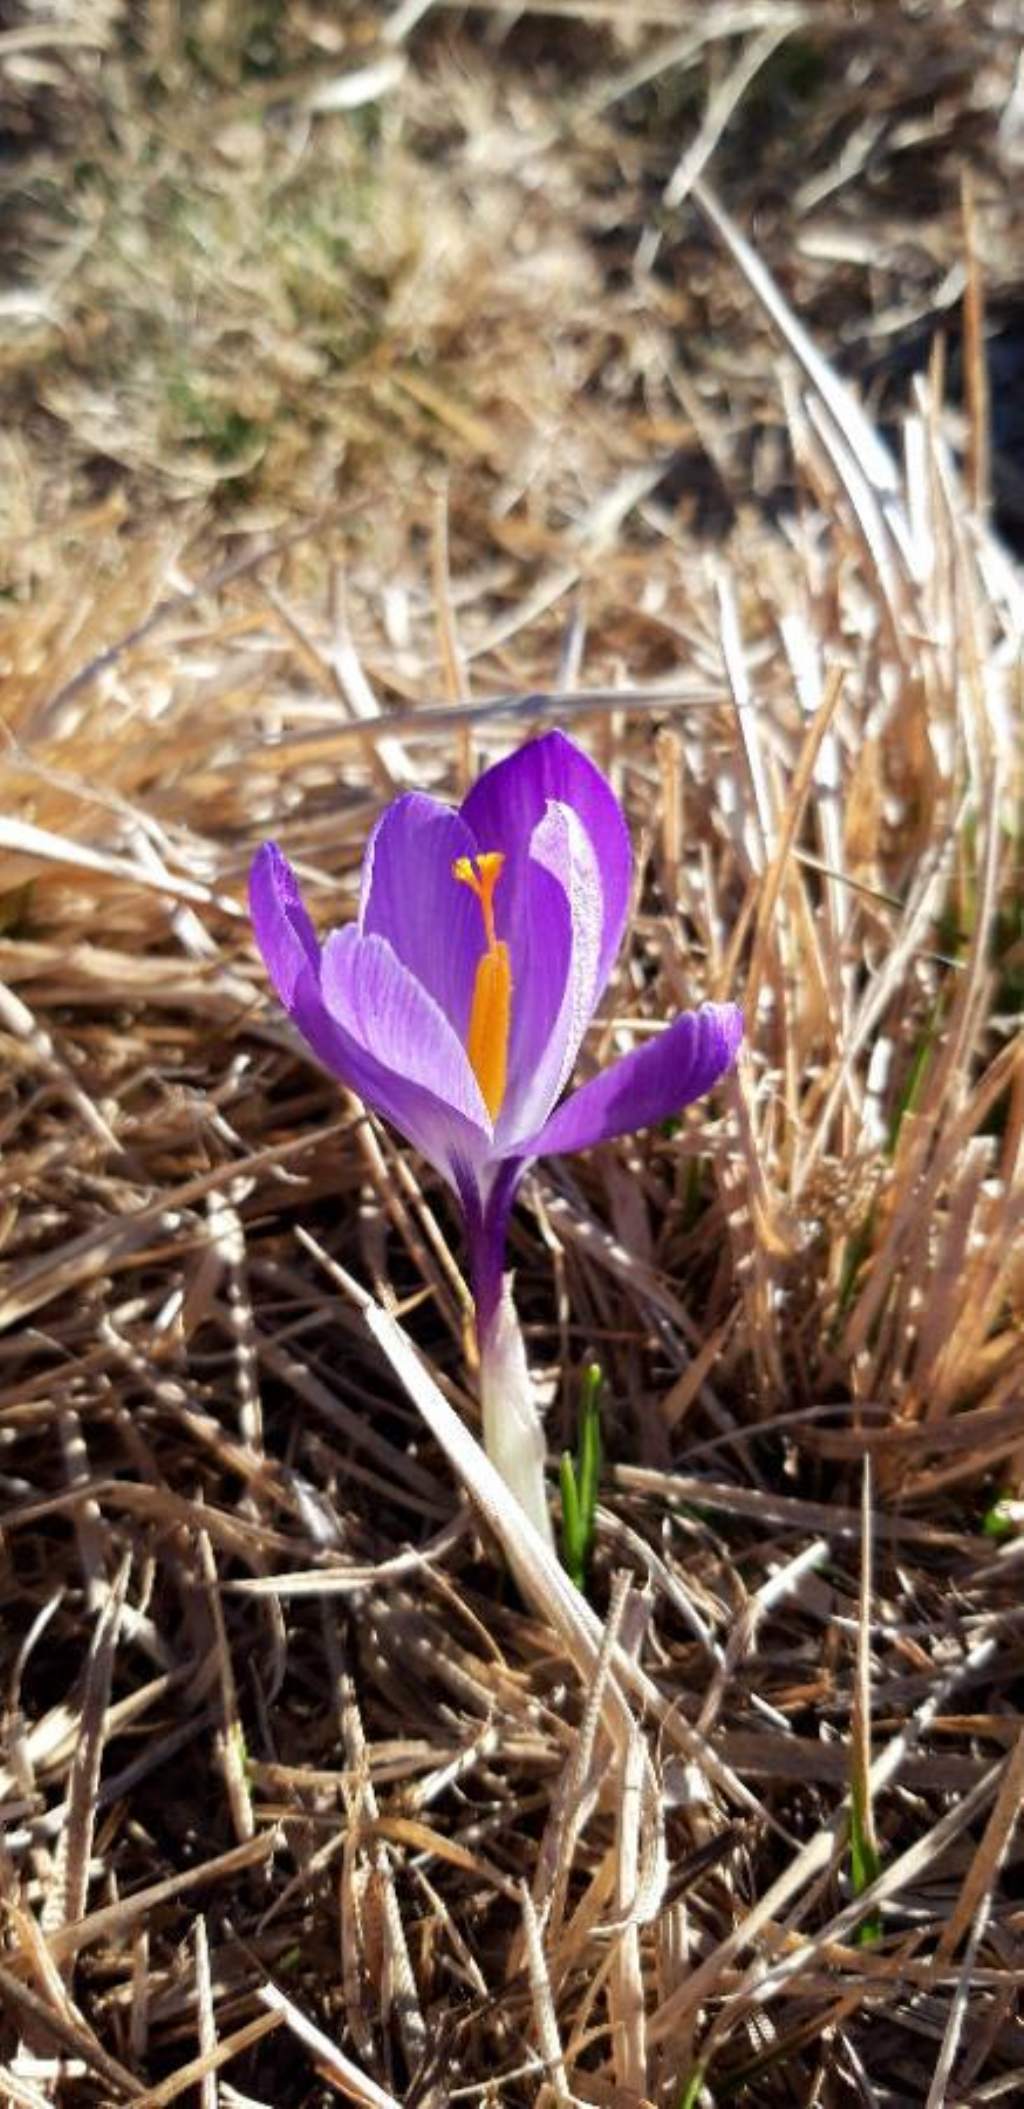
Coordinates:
648 1085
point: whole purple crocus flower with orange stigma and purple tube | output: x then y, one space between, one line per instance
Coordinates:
458 999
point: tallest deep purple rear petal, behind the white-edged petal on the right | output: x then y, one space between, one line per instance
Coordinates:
511 800
